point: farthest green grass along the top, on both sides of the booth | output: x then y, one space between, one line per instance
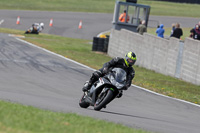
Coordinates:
104 6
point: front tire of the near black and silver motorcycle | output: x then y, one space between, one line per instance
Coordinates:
104 100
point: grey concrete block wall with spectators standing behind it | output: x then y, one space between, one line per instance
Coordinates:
169 57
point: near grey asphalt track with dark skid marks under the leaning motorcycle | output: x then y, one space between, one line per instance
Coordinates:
32 76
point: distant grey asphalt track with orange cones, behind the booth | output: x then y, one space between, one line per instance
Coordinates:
66 23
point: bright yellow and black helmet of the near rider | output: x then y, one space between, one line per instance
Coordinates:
130 59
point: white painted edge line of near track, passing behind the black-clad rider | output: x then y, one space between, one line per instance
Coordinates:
94 70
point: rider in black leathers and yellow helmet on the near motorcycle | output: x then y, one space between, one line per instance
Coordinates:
124 63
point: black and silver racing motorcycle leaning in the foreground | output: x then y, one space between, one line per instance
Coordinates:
104 90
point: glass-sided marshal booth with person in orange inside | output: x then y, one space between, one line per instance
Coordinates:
128 15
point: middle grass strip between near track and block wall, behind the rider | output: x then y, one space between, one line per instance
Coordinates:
80 50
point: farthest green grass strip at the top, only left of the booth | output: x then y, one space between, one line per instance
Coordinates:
60 5
